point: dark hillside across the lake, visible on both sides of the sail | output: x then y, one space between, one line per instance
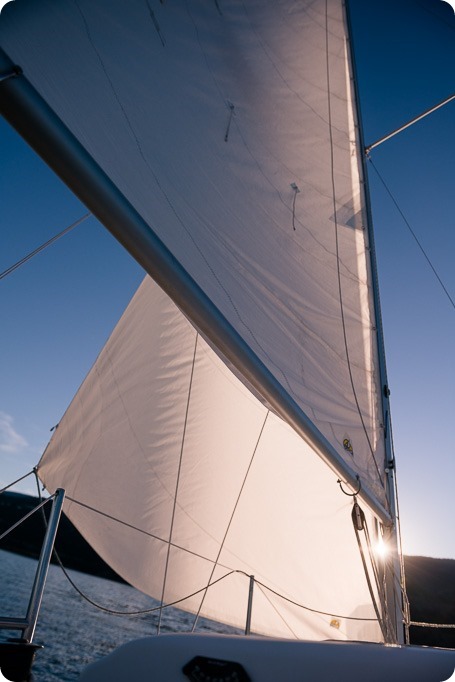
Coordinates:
430 582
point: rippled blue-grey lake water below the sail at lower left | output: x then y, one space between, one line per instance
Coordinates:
74 632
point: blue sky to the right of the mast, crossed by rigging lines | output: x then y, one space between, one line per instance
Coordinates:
405 60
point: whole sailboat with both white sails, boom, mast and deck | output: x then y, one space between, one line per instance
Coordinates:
231 448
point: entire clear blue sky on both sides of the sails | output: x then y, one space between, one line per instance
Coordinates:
57 310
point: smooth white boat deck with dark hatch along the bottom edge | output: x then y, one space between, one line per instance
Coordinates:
269 660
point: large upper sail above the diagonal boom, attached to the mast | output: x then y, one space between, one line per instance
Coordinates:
230 127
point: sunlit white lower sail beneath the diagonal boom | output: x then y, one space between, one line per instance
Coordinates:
178 476
